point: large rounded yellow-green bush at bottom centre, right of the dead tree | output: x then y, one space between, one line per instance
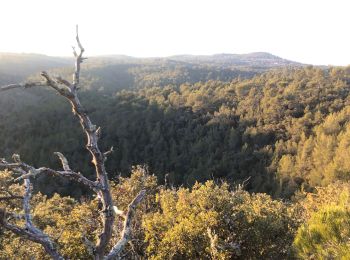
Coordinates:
242 225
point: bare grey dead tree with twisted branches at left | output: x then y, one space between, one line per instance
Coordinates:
100 186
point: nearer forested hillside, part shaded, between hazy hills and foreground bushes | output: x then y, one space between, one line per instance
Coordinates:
232 130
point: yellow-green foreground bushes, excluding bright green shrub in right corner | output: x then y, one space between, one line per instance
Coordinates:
208 222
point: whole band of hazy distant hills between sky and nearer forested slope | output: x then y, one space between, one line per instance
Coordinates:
115 72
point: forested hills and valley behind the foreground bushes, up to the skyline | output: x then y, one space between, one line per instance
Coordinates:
192 118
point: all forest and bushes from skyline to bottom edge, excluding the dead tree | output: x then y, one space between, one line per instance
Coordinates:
241 160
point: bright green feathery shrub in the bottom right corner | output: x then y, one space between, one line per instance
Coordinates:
326 218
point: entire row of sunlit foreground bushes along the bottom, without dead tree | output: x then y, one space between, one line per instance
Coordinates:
208 221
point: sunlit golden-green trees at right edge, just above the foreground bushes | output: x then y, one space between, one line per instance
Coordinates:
321 158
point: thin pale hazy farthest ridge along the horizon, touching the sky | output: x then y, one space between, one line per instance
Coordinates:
28 63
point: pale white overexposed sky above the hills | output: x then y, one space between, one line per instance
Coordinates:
308 31
